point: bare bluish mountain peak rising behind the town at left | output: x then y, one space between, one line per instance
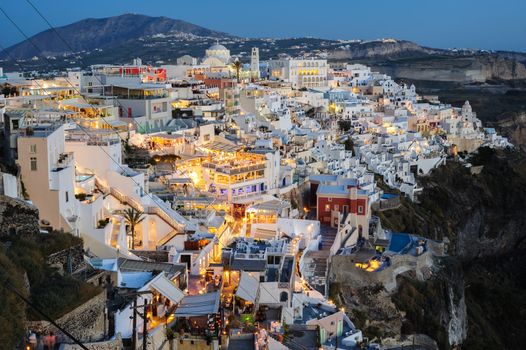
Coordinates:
100 33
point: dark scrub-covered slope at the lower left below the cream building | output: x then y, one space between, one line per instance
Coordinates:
23 267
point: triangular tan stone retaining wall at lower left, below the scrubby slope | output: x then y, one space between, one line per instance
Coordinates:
87 322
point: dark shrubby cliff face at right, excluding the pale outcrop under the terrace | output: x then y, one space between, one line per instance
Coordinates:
480 284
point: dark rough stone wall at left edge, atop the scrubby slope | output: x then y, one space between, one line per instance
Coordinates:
17 217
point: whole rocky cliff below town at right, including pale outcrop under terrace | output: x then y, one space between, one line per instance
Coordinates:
475 295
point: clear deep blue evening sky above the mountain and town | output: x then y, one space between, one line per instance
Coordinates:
482 24
